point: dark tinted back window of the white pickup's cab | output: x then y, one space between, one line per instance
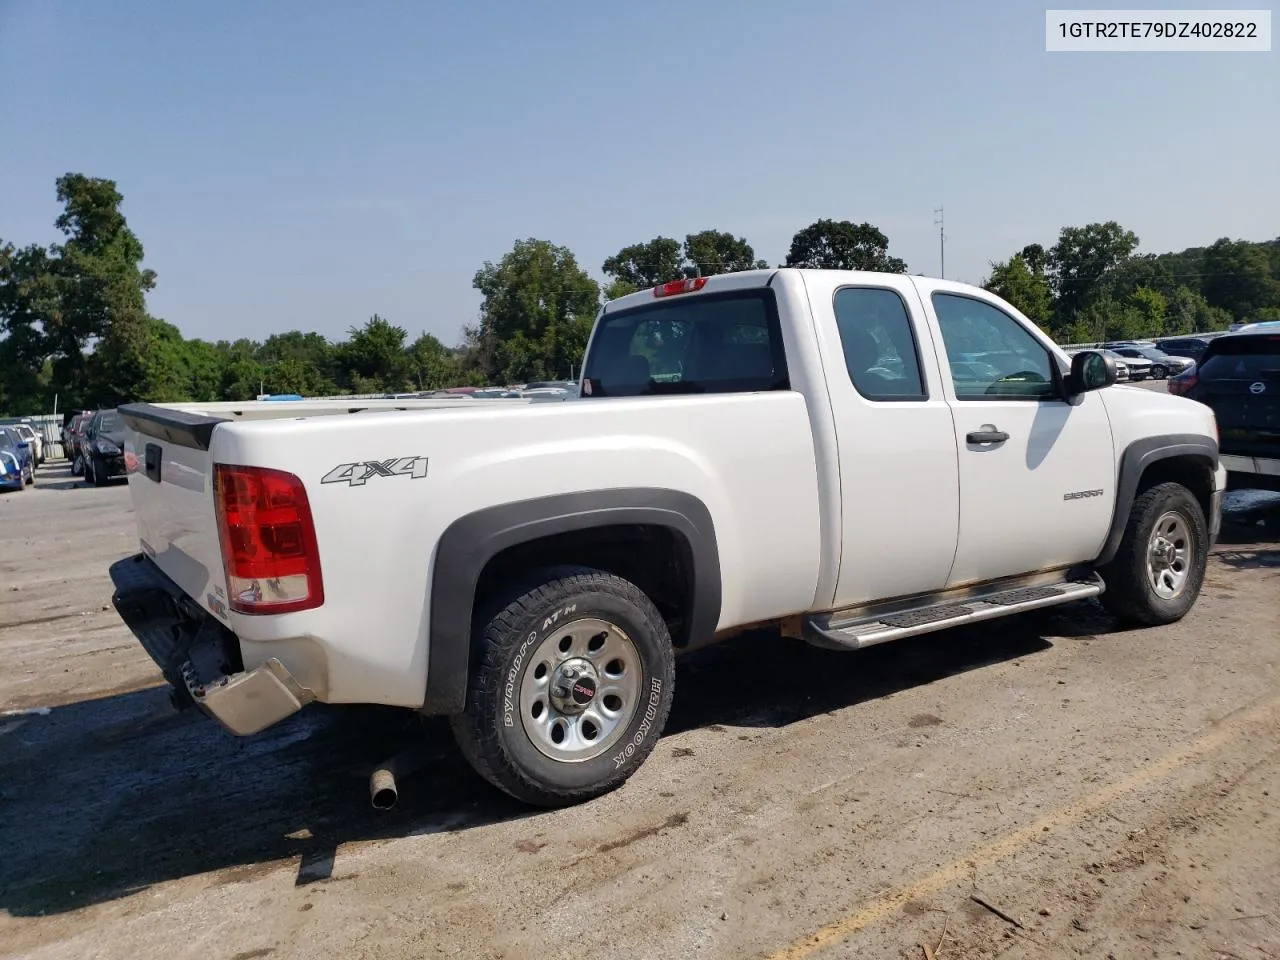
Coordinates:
700 344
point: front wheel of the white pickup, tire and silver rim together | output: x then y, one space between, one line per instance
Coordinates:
1160 568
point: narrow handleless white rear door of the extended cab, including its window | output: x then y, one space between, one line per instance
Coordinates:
899 490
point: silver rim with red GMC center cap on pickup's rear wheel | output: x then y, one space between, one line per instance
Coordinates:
580 691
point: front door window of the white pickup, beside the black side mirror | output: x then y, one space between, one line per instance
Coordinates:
991 355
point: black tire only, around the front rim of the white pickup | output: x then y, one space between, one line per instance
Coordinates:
1131 595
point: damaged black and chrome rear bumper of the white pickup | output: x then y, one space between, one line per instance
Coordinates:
199 656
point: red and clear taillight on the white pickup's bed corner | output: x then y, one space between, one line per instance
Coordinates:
269 542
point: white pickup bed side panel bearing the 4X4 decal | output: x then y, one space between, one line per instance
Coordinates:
749 458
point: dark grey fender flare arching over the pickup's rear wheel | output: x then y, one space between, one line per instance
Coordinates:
470 542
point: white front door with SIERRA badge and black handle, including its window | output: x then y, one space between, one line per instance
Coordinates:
1037 472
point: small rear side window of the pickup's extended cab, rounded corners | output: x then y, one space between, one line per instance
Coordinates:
880 345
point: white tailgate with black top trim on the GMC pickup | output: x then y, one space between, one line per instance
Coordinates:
171 486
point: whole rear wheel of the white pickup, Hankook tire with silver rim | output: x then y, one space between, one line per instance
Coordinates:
572 692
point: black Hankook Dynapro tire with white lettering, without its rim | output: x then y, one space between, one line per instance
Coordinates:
492 733
